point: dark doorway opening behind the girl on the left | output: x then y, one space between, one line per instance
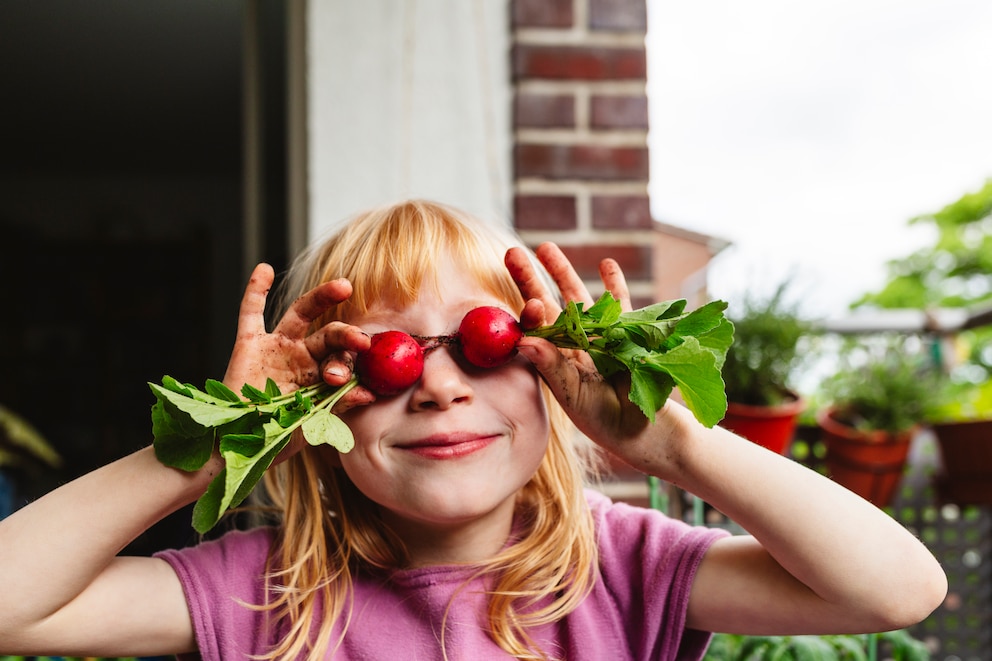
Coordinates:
120 218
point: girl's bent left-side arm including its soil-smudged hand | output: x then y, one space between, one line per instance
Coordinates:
65 589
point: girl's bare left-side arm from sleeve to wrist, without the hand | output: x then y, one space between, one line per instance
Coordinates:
66 592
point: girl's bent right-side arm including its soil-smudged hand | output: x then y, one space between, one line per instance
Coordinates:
820 559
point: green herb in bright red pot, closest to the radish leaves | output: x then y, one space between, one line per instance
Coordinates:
762 406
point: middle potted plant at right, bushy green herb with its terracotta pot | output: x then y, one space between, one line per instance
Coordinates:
876 405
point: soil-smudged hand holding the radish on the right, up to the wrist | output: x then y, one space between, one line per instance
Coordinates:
599 407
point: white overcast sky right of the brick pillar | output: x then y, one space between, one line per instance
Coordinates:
808 133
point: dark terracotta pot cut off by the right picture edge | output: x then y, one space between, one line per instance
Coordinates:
965 475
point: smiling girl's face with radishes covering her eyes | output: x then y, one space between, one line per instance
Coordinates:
455 448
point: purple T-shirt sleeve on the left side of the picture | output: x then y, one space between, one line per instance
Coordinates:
221 579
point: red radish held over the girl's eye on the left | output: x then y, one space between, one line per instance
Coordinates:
394 362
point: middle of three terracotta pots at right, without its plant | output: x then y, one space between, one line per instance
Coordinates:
869 463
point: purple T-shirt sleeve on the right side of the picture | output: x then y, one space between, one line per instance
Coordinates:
648 562
